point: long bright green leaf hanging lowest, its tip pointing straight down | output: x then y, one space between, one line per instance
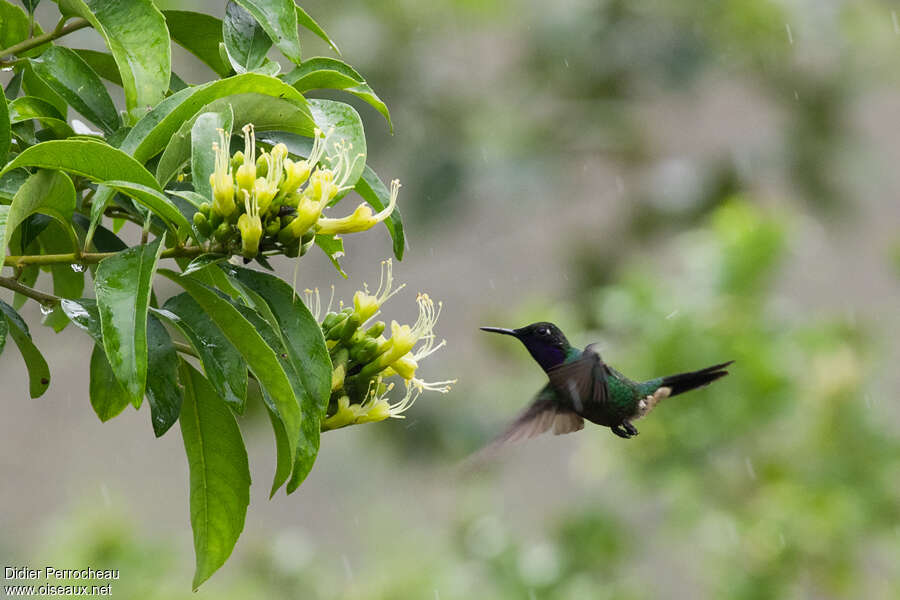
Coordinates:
220 474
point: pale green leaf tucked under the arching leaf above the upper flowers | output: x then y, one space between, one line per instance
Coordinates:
265 112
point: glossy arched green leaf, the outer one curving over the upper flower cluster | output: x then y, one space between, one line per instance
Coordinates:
152 133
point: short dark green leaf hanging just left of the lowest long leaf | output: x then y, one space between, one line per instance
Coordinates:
163 392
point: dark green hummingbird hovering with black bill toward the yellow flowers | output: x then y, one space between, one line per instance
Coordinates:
581 386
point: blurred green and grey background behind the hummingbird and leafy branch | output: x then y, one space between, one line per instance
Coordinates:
684 183
